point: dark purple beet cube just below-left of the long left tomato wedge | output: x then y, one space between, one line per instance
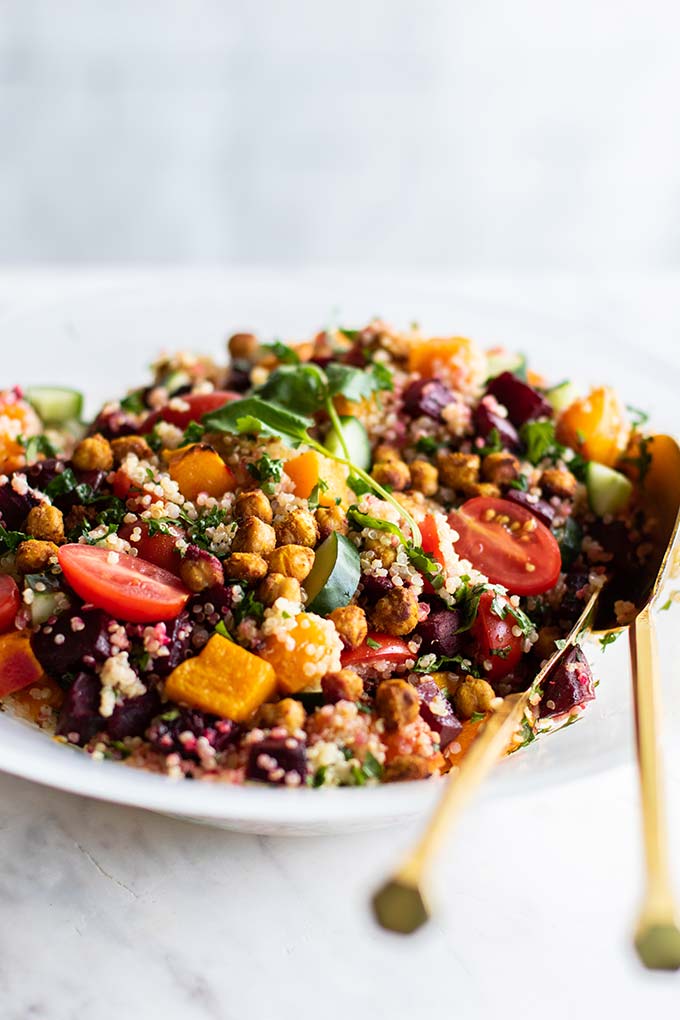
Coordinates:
78 637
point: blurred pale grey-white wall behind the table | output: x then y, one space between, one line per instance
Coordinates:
479 135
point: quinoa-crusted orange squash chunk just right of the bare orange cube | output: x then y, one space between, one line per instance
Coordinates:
305 653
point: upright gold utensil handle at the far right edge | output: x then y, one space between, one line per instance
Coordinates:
658 938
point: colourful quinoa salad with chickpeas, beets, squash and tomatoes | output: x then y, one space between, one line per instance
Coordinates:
316 565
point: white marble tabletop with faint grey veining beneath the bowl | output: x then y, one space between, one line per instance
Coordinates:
112 912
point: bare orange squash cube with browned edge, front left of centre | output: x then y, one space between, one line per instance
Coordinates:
225 680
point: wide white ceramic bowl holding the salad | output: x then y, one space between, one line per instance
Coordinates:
102 338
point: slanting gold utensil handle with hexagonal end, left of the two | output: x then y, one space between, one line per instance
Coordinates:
400 905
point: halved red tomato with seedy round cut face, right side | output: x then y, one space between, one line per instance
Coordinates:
508 544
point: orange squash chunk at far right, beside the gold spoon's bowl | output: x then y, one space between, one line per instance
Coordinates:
596 427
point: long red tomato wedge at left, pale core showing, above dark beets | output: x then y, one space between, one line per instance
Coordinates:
127 587
